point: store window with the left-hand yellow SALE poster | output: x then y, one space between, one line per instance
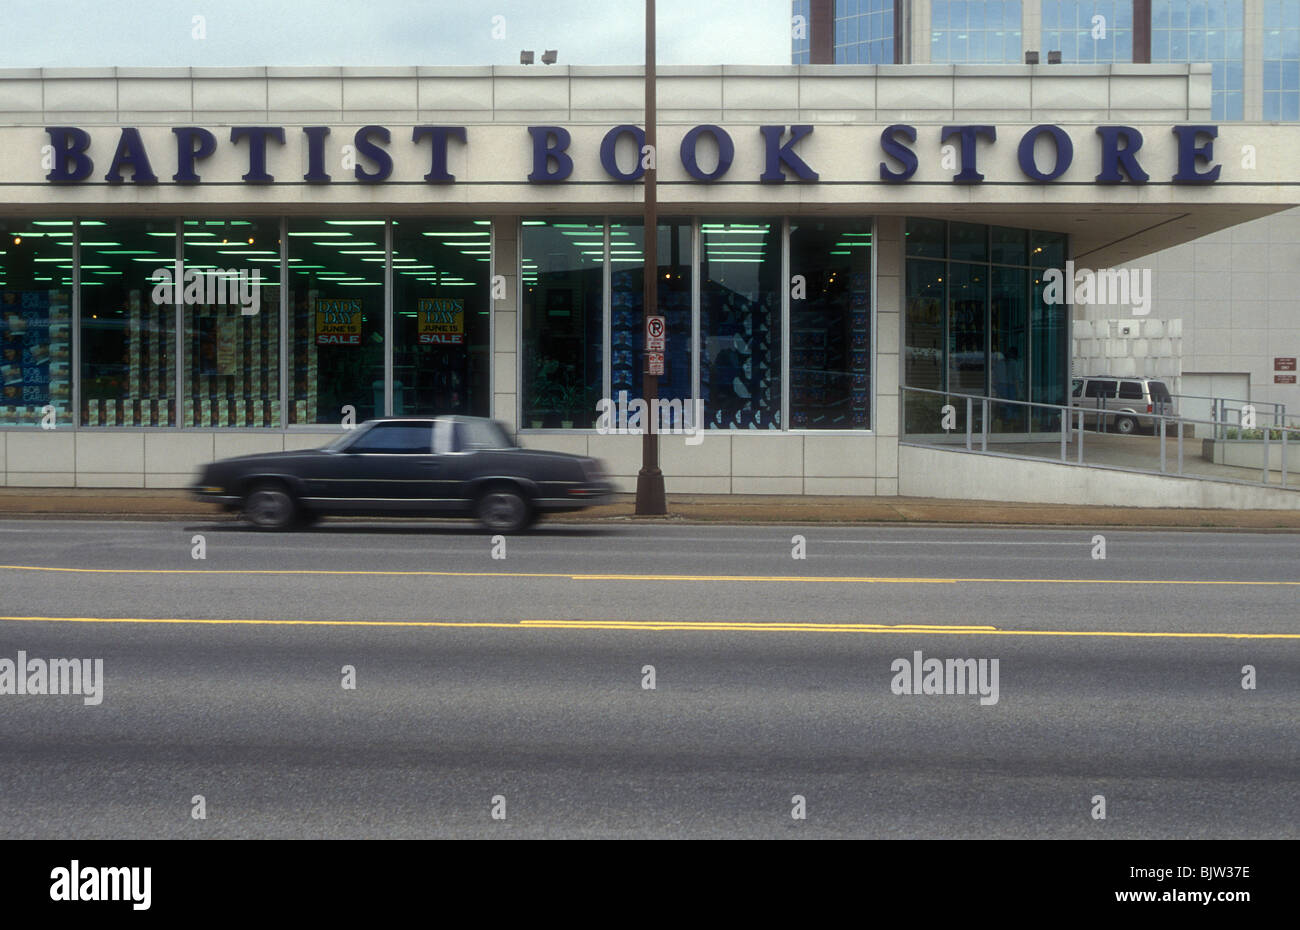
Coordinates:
336 322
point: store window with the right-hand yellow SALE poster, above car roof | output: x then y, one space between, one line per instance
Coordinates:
441 326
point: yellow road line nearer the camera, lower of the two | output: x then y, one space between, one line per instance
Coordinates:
675 626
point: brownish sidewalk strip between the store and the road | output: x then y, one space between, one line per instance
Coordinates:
125 504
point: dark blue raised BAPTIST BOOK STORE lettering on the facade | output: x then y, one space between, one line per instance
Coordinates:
70 161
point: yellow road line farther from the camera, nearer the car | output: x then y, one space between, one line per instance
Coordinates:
831 579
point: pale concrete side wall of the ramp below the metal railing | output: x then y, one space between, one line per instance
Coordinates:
929 472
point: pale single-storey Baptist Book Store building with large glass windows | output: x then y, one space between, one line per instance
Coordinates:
197 263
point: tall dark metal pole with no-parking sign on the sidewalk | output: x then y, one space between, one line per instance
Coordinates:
651 496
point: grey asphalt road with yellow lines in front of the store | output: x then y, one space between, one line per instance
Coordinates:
522 678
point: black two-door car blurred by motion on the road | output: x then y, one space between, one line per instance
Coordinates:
448 466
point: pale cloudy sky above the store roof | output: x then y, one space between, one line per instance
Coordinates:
385 33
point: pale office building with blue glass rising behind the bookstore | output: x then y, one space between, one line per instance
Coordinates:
1230 297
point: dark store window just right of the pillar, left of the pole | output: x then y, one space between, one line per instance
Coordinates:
564 339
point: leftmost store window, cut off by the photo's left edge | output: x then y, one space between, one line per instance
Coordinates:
36 319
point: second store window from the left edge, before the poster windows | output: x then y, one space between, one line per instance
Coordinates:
128 339
